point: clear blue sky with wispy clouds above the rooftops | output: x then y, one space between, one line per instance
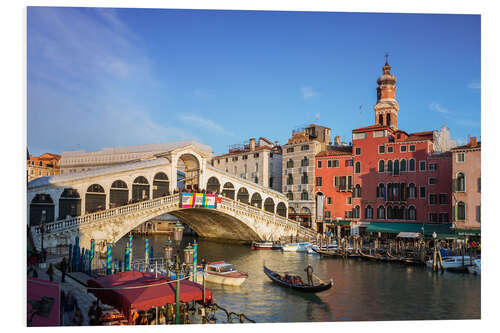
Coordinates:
112 77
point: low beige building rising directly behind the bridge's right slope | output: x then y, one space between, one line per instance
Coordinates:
256 160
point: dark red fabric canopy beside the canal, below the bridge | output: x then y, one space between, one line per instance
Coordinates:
151 292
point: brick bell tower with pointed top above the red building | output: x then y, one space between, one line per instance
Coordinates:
386 109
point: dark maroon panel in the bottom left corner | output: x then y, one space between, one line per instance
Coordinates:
43 302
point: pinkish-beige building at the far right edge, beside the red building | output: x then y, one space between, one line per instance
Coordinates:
467 188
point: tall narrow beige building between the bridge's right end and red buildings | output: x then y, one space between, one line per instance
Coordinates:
298 171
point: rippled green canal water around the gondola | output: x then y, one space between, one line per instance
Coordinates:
361 290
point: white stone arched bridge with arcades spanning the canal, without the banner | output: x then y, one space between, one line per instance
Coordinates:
105 204
